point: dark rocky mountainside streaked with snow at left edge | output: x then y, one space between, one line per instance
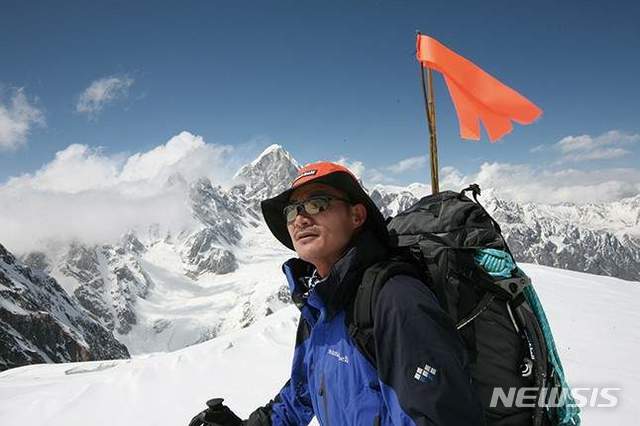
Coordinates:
40 322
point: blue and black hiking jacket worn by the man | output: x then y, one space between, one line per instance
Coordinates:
421 376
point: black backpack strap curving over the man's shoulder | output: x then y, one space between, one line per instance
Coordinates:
363 308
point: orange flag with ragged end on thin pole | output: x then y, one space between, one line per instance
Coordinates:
476 95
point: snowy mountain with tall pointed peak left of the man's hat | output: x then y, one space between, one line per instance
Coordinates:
162 291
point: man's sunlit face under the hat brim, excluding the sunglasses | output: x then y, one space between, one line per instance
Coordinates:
320 239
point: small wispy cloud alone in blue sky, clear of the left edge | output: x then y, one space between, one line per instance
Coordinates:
102 92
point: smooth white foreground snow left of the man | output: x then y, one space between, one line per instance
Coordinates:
247 368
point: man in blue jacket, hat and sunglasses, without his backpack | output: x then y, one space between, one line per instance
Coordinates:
421 371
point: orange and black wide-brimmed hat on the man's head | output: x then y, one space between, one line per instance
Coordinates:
334 175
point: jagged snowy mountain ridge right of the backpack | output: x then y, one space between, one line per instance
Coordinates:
601 239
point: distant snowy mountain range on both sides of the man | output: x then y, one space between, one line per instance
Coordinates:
161 290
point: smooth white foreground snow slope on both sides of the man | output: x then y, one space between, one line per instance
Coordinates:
595 321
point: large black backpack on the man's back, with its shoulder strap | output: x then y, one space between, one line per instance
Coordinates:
435 240
